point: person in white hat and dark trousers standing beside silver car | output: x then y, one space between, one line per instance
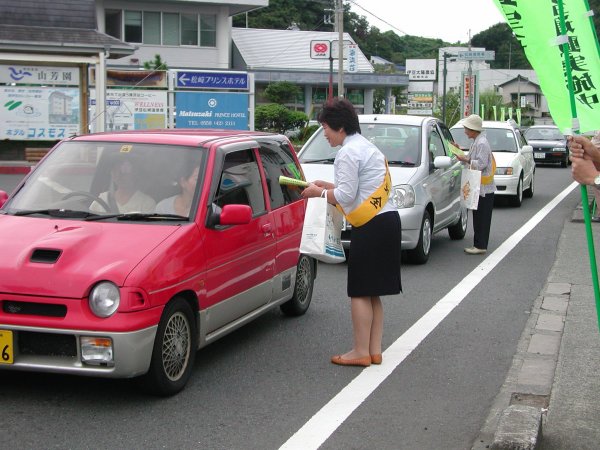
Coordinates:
480 158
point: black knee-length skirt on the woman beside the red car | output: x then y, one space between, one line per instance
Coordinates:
374 259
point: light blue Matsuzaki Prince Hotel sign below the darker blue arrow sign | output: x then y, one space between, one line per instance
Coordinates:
212 110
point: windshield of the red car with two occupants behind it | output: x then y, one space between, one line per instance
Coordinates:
91 180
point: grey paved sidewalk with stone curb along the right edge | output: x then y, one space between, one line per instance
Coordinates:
549 400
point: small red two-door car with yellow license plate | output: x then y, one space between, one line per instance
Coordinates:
124 253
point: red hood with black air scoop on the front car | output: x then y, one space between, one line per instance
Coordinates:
65 258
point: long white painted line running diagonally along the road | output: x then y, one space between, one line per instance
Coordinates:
333 414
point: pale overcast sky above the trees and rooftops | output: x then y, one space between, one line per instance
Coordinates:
449 20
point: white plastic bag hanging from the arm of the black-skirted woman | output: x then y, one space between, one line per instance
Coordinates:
322 230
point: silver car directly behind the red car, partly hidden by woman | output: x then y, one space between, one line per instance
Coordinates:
425 176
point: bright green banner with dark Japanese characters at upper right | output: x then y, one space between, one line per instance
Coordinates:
536 26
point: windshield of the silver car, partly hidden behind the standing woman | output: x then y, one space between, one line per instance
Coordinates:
399 144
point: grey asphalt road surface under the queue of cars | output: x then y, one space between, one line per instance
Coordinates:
258 386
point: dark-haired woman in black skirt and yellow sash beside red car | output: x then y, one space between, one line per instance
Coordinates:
361 190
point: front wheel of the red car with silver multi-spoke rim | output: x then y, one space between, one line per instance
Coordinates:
174 349
